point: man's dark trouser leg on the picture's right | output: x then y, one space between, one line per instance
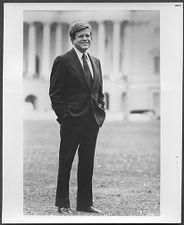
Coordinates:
86 163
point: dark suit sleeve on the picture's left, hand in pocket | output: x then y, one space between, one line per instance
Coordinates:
56 90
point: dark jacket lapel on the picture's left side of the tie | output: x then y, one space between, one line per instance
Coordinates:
75 63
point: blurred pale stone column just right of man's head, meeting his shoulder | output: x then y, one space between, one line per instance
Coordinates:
101 42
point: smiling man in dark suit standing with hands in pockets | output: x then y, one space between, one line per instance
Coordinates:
78 101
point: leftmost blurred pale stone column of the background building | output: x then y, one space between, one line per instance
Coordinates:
31 70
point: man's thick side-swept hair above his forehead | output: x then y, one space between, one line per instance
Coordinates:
78 26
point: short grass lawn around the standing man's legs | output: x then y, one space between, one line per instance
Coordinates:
126 179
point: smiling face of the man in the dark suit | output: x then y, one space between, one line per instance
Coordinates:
82 40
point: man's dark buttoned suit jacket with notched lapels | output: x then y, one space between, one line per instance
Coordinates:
69 91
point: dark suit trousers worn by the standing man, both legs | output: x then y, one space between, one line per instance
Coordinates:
77 133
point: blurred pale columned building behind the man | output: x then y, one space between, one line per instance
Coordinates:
127 44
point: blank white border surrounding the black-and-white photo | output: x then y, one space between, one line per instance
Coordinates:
171 43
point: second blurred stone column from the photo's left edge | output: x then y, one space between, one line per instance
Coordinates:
45 67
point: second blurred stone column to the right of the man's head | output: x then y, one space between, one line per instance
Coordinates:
116 51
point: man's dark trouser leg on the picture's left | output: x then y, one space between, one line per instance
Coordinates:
69 142
